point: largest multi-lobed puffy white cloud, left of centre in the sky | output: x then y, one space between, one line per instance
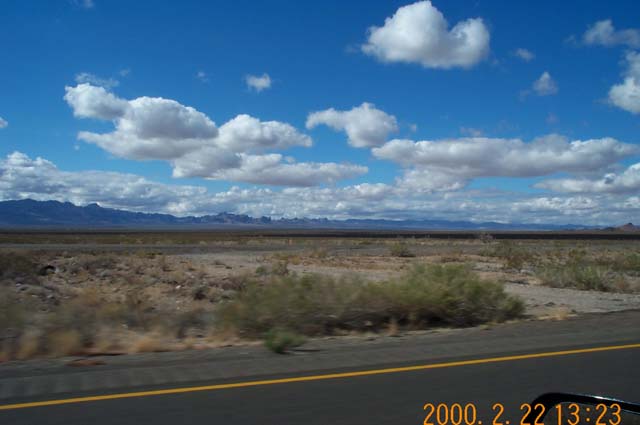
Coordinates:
154 128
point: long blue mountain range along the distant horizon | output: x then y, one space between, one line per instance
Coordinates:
28 213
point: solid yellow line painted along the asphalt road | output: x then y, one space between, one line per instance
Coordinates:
313 377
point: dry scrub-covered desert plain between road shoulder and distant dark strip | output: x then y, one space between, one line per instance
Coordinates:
284 290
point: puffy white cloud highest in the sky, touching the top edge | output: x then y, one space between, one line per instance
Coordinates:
419 33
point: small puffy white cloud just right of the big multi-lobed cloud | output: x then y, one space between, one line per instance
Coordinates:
365 125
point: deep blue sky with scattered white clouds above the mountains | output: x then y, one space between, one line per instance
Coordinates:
482 110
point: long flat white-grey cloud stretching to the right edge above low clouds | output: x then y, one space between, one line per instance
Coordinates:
452 163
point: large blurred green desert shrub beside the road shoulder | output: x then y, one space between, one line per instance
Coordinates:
315 304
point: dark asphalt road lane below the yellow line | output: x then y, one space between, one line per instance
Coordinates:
386 398
